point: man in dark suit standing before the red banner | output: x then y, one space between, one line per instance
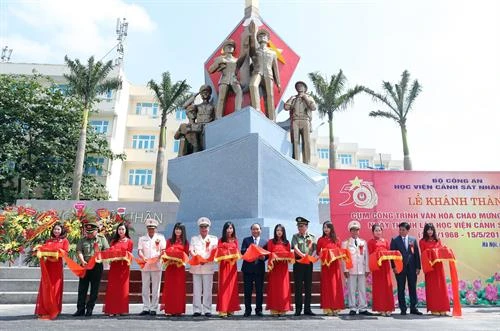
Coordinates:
408 246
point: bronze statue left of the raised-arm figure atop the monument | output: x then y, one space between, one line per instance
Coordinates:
227 64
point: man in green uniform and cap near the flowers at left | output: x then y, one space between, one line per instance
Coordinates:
85 249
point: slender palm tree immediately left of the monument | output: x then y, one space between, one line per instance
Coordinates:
170 97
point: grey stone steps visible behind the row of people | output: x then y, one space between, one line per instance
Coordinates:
19 285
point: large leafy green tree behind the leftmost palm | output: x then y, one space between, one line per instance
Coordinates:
39 128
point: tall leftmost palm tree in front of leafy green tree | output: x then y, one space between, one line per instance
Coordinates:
87 82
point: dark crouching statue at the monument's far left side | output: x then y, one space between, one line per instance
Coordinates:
192 134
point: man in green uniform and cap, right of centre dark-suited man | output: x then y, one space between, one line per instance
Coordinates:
303 243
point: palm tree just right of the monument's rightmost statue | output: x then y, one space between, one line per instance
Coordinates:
332 97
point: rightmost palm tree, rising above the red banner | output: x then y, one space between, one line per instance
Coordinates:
399 100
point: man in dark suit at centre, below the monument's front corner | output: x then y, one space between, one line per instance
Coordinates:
253 272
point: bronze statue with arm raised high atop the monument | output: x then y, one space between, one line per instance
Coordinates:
264 71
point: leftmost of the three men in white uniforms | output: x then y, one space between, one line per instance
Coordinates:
150 248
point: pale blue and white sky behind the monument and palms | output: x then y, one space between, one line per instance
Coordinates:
451 46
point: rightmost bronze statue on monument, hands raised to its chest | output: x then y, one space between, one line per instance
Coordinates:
301 107
